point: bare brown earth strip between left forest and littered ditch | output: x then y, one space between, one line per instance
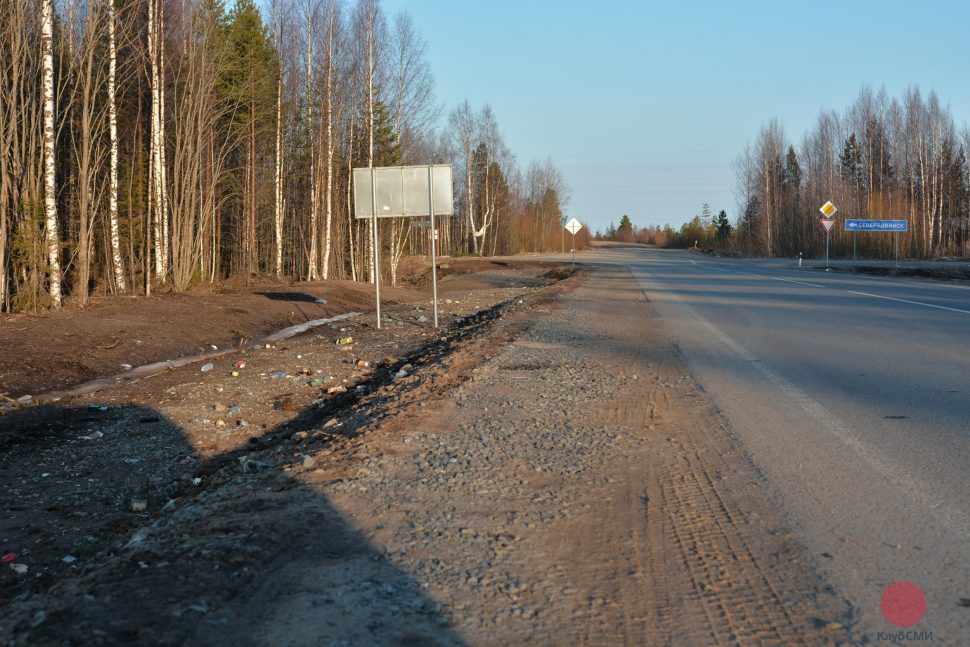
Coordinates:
56 349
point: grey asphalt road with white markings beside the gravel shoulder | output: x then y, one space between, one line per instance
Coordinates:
852 396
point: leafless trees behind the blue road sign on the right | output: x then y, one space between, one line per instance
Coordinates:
882 158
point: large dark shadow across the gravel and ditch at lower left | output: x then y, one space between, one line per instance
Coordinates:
227 549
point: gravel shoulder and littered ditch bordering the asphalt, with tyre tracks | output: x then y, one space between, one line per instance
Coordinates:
545 470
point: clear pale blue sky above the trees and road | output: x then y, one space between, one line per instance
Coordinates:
644 105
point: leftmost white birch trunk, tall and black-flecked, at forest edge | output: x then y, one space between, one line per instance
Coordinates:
50 203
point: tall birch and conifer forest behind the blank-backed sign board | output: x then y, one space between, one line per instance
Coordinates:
174 142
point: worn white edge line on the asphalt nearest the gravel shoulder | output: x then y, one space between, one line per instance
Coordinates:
953 518
